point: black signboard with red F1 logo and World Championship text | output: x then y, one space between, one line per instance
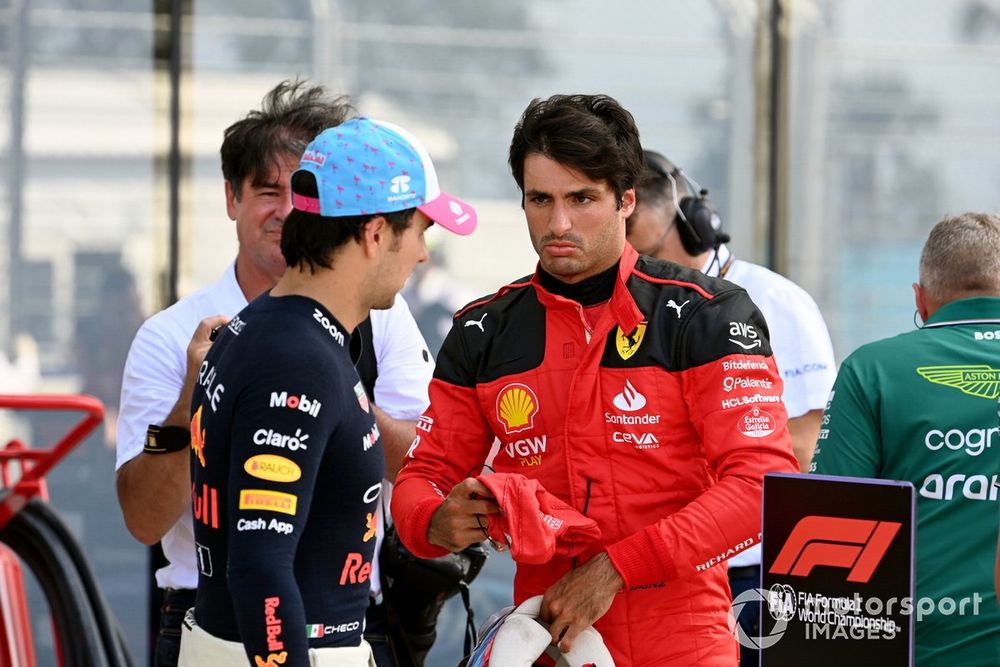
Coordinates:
837 571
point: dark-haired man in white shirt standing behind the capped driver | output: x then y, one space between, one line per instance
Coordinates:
259 154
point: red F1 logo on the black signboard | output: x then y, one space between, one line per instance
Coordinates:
858 544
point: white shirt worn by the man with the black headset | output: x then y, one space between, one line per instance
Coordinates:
799 340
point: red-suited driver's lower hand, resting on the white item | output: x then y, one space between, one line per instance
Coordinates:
579 598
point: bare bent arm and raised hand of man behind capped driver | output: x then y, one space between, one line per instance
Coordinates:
154 490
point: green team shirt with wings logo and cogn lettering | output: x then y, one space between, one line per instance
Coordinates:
922 407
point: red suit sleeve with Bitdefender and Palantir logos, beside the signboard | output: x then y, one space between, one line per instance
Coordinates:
734 402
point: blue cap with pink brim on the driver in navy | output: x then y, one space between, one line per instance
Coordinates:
365 167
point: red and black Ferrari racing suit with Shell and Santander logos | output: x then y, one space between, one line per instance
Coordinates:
658 420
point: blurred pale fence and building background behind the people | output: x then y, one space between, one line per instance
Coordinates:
832 135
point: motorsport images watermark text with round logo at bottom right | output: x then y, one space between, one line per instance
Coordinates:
825 617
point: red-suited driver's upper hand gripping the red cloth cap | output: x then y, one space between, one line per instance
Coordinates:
461 519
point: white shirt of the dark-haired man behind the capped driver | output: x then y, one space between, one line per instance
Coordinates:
157 363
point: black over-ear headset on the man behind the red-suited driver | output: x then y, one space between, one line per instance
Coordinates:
698 225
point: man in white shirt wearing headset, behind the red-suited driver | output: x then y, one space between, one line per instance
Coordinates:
673 220
